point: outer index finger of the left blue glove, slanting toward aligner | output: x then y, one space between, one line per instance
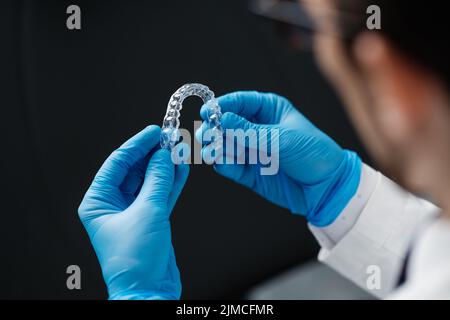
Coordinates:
117 166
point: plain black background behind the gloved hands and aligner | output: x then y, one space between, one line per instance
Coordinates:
68 98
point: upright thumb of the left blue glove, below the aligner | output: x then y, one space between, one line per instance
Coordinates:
158 181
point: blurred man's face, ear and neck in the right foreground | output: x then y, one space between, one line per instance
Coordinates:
399 109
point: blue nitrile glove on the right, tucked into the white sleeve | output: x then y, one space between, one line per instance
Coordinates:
316 177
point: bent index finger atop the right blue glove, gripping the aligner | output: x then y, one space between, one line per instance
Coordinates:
252 105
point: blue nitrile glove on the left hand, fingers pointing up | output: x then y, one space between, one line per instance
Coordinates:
126 214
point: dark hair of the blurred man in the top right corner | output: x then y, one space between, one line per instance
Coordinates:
417 28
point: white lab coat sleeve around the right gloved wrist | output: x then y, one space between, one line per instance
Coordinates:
370 240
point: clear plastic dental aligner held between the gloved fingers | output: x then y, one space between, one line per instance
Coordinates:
171 122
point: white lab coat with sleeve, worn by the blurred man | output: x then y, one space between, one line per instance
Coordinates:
382 225
